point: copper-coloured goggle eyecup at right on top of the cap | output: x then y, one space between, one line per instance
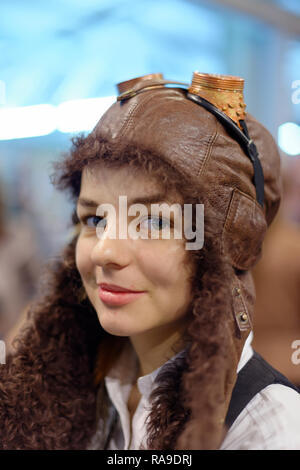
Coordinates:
223 91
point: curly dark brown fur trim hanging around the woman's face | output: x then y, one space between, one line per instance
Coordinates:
48 387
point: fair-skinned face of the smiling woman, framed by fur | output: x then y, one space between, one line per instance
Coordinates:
155 266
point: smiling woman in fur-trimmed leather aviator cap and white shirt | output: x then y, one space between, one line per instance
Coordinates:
155 367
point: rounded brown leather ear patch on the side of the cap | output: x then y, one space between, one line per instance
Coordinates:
244 230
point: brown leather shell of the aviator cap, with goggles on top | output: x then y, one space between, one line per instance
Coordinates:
204 132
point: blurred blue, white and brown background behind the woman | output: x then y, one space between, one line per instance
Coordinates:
59 63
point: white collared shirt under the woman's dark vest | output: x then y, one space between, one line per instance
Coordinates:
269 421
